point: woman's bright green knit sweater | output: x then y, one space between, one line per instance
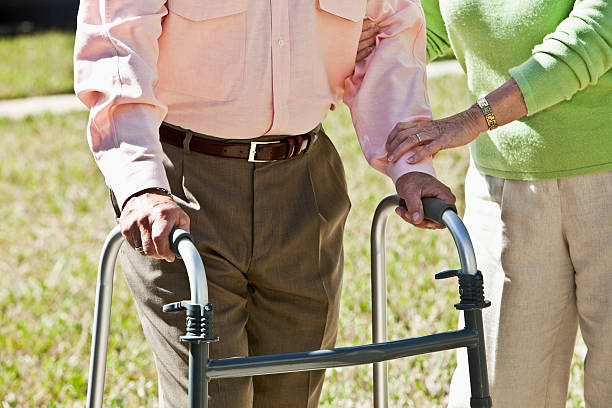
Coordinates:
560 54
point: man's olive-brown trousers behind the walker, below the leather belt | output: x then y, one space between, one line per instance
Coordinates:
270 235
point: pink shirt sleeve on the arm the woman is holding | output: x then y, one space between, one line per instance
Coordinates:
390 86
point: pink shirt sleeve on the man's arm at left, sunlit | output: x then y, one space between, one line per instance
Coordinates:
115 61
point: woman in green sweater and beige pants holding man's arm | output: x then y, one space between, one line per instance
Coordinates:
539 186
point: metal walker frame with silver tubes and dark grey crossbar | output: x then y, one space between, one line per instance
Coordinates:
199 320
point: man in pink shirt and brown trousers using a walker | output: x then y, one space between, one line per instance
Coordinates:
206 116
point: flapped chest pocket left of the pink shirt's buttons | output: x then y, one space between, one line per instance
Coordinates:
202 48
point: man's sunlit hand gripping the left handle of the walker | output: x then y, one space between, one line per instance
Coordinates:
146 222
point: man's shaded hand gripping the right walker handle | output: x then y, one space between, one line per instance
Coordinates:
414 186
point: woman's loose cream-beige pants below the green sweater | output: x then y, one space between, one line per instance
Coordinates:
545 250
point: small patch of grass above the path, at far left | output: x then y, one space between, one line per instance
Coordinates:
36 64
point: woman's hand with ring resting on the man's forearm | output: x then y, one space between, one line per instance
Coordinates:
434 135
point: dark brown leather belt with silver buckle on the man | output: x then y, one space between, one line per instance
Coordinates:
265 151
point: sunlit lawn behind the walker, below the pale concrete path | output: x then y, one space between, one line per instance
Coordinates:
55 215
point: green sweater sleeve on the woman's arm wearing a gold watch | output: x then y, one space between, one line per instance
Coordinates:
568 60
